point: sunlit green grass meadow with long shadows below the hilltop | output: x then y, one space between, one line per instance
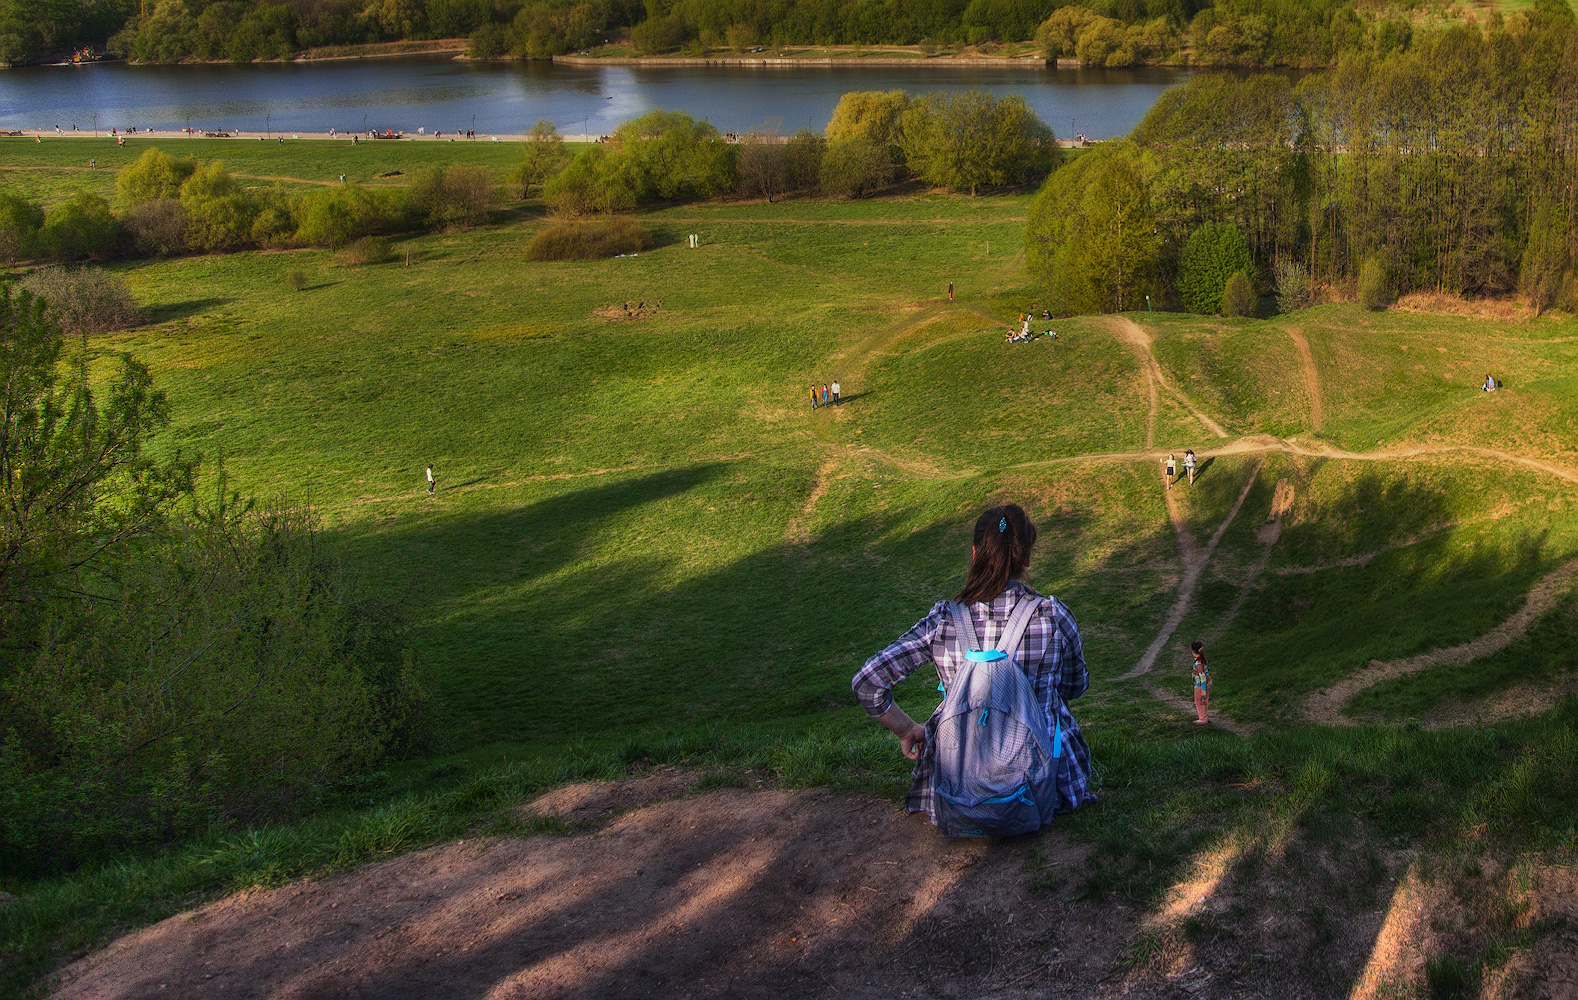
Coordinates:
648 548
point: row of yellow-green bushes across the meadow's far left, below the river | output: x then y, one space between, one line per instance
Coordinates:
173 206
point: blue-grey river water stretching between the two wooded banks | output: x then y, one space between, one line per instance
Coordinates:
443 94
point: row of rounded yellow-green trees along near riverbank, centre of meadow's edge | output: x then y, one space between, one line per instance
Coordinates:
875 140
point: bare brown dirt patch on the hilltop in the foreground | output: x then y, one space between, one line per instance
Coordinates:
760 894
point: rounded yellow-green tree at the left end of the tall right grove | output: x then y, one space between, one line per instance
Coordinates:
1091 237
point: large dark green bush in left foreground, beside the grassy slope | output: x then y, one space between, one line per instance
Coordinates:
170 662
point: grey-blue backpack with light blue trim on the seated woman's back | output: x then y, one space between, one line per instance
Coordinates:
995 771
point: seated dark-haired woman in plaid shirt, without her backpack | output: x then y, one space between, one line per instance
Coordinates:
1050 654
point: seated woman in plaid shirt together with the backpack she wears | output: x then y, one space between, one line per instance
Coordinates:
1011 660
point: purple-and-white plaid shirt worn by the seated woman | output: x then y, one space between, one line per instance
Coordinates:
1052 655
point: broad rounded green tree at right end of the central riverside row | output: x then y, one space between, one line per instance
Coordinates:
971 140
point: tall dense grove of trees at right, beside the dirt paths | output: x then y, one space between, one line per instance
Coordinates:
1446 166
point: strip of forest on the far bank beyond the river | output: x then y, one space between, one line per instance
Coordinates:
1107 32
